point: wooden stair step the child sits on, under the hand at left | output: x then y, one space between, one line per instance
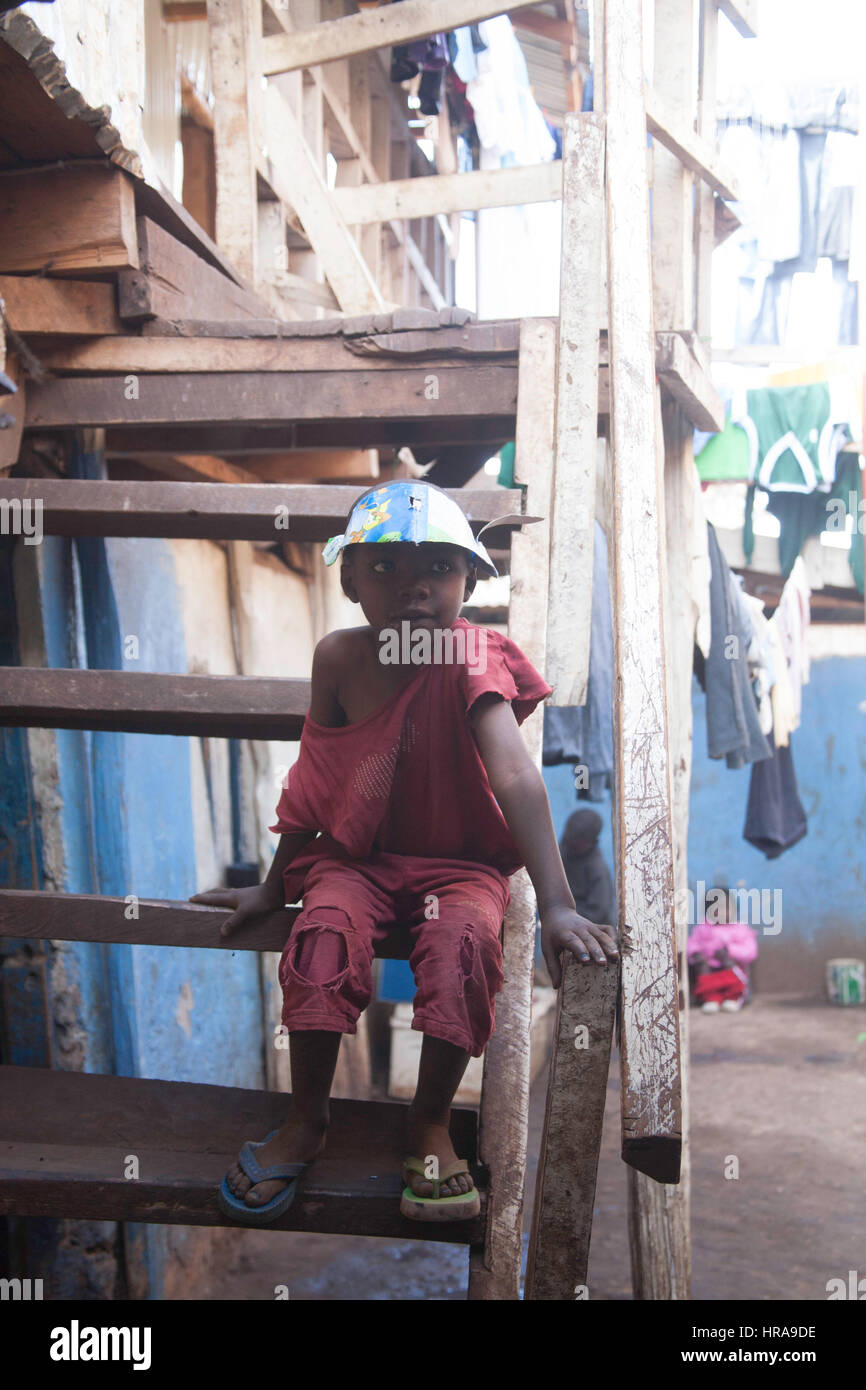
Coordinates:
81 917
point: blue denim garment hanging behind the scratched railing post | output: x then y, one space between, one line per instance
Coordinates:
585 733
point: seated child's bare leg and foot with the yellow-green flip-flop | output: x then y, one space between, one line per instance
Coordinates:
440 1074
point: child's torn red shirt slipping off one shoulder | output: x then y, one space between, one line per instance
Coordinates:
408 779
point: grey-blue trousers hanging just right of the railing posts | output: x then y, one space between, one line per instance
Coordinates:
733 726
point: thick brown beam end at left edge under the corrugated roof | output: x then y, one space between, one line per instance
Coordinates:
67 220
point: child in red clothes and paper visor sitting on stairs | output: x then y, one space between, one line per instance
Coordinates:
412 801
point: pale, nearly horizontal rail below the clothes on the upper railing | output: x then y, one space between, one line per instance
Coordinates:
414 198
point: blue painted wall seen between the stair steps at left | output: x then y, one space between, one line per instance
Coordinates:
127 826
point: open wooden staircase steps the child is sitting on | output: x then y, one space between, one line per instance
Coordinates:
66 1138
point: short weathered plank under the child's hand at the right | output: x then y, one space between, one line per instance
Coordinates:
572 1136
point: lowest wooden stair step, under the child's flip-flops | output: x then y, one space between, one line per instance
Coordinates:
66 1139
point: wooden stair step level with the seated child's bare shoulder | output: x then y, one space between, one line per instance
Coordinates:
145 703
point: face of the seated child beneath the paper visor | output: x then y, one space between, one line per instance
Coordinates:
425 584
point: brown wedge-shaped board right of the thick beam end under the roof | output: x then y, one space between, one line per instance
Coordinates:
176 284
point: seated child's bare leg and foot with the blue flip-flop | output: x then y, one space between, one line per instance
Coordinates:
304 1134
